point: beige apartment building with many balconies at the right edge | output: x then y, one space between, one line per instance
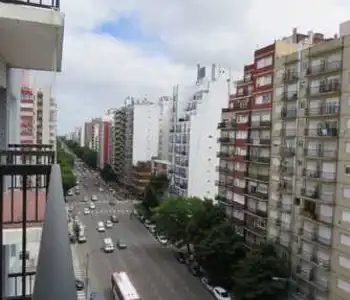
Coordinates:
309 188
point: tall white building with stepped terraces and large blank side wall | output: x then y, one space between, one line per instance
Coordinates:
193 141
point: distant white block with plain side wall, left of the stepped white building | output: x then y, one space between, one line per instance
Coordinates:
141 133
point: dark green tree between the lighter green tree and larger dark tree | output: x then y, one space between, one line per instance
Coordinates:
204 219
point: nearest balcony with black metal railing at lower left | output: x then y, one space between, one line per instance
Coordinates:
53 276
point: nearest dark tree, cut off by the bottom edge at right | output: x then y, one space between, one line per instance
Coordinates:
254 275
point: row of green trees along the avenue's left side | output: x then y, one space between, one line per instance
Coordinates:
66 162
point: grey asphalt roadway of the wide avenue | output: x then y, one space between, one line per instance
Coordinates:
153 269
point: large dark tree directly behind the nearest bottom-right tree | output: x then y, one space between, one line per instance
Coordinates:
219 253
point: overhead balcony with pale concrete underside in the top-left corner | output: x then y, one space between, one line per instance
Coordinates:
33 31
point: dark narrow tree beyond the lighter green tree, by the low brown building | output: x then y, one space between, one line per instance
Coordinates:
155 191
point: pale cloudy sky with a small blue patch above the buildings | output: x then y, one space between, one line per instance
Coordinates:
113 49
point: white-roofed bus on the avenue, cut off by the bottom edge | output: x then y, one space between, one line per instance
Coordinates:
122 288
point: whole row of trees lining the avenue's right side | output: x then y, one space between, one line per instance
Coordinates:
203 229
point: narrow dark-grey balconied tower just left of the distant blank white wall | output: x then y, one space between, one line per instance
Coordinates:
119 141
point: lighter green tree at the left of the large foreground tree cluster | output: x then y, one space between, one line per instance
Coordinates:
172 217
